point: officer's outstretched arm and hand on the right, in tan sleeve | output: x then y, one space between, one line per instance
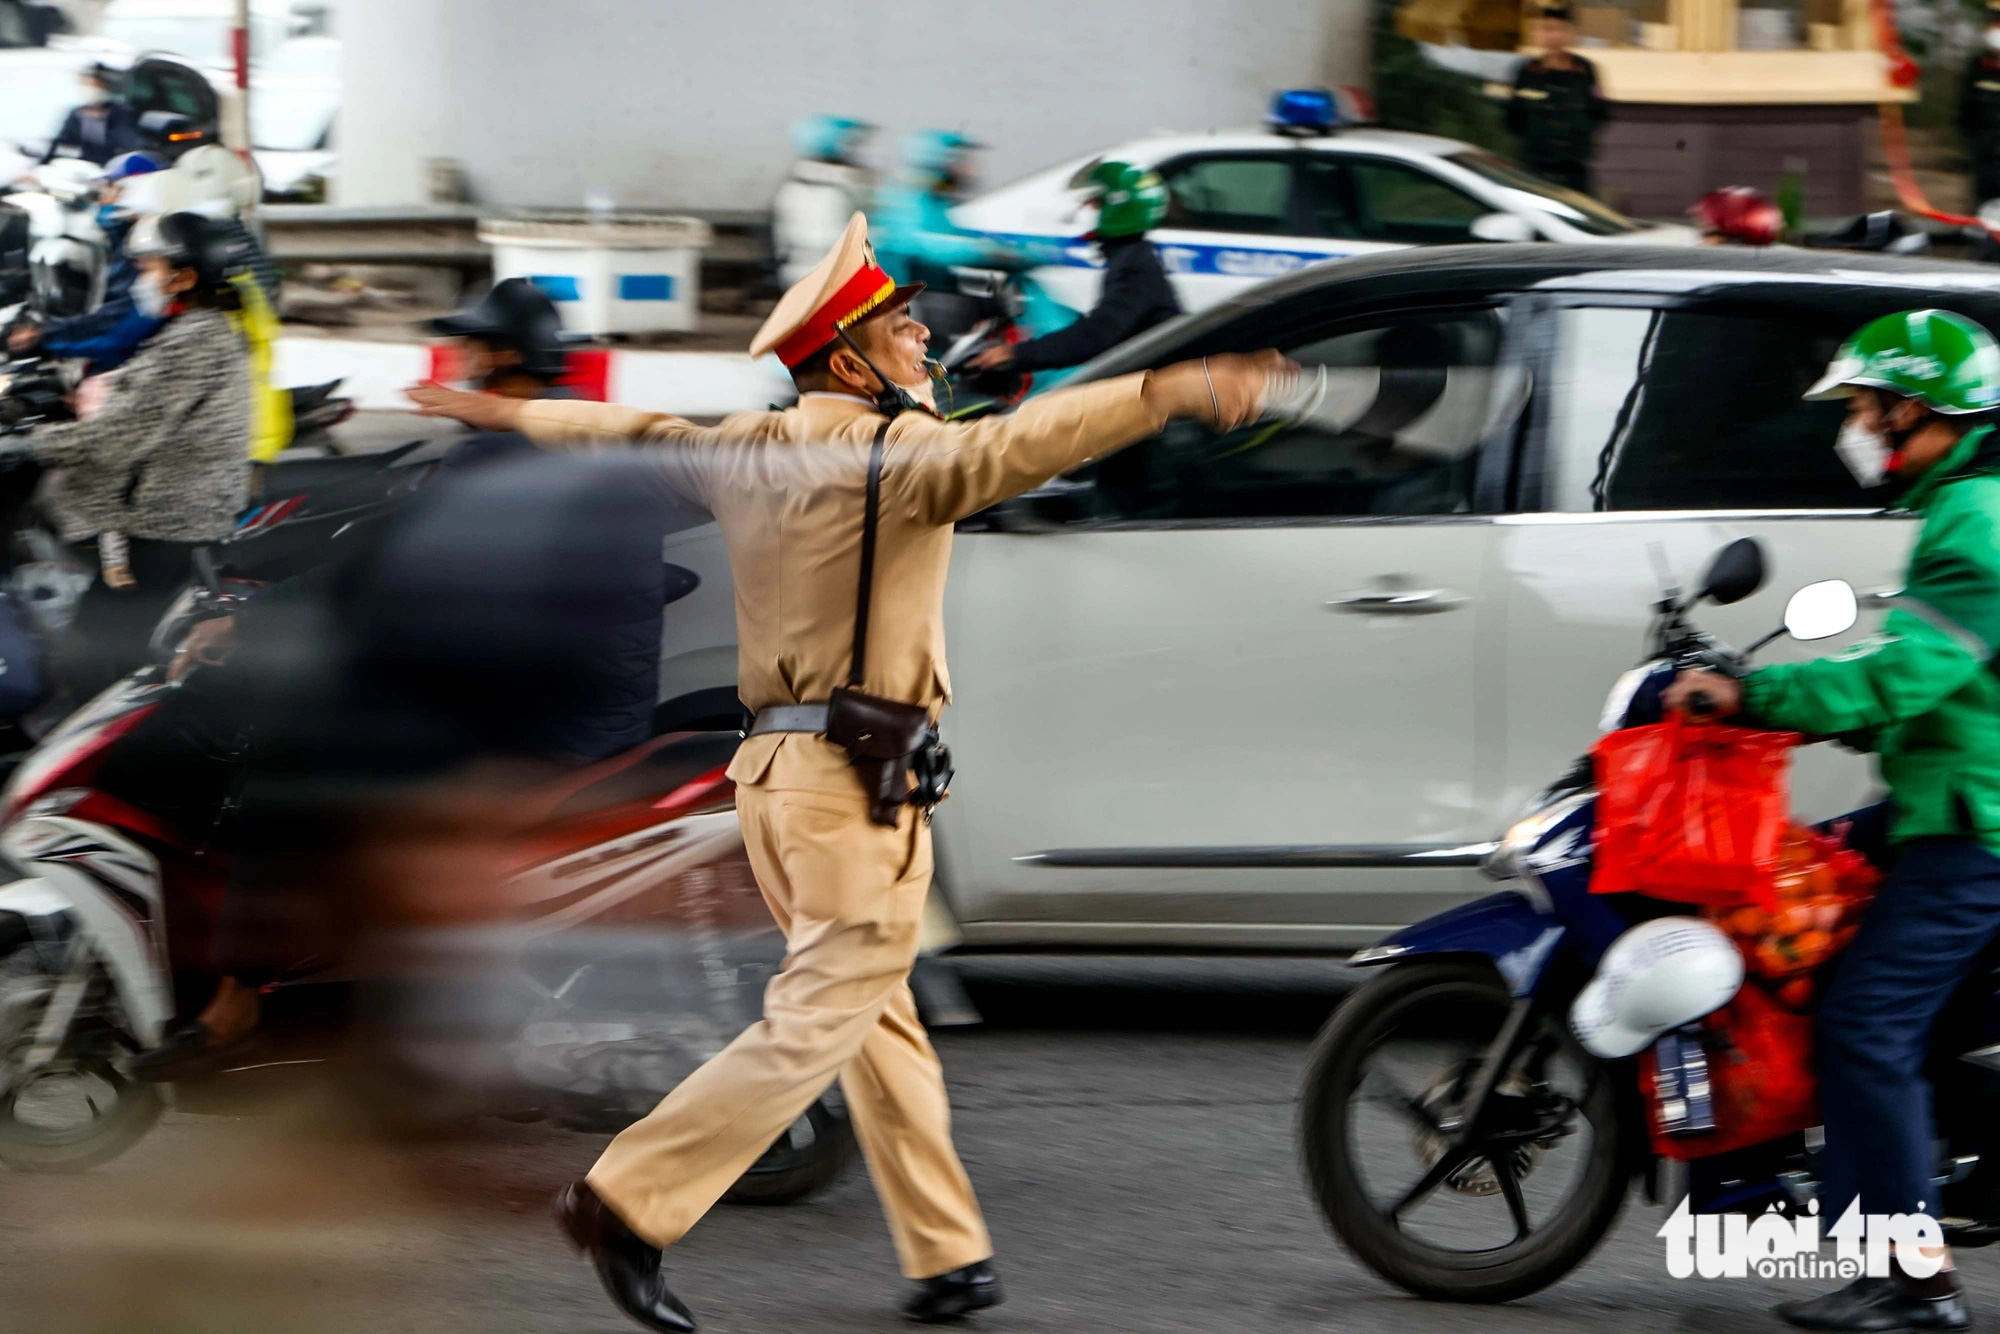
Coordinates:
949 471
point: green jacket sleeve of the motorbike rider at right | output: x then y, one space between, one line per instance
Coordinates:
1941 633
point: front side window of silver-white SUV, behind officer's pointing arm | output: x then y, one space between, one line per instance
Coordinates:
1411 401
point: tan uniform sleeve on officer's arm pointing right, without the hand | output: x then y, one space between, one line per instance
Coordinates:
949 471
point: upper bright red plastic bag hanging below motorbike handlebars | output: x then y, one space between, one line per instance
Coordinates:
1691 813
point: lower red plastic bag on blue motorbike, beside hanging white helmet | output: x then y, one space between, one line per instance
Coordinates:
1759 1075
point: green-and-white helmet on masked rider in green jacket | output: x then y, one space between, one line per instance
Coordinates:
1937 357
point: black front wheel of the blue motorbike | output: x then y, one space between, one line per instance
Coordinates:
1465 1219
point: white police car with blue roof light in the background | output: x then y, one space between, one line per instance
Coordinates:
1257 205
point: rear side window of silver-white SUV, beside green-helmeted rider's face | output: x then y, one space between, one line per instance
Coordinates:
1695 411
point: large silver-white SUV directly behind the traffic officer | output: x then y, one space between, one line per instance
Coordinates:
1283 693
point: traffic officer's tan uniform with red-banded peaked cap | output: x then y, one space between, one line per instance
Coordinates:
789 493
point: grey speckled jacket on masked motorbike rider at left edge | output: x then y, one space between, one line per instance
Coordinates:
169 455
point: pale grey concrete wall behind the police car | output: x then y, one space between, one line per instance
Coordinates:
687 103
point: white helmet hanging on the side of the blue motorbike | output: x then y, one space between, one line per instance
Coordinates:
1655 979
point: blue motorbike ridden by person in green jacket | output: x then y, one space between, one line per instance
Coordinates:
1461 1141
